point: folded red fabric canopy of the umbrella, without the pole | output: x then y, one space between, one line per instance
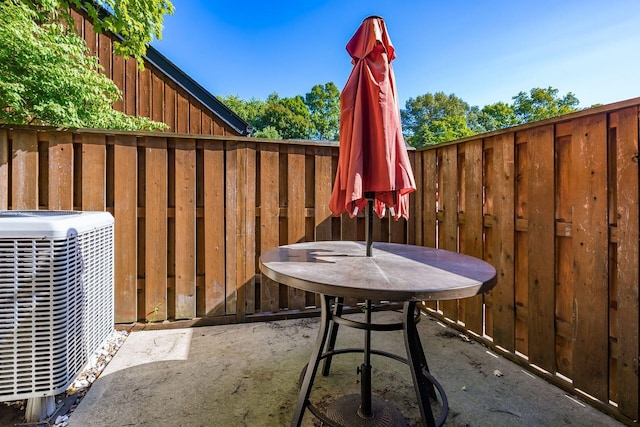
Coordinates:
373 155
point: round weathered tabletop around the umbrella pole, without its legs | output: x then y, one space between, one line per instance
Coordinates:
395 271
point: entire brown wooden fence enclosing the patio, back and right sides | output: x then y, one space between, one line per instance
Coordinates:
553 205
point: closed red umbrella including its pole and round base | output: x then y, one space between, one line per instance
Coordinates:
373 172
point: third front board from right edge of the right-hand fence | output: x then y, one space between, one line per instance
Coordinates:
541 256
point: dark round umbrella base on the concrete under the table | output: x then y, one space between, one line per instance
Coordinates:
345 412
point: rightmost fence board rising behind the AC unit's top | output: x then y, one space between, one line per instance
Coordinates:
94 172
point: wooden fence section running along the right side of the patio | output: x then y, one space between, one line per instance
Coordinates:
554 207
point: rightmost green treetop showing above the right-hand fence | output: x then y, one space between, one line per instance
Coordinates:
540 104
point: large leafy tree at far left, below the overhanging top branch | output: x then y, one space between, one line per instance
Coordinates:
48 78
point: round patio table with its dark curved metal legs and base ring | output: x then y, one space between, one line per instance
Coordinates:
394 272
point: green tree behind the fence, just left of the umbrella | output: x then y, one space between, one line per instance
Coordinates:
323 103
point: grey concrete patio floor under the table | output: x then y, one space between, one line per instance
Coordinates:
246 375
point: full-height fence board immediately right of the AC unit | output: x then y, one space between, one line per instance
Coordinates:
125 212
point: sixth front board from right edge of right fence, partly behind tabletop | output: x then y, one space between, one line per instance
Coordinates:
448 229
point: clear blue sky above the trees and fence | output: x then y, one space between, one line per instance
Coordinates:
481 51
